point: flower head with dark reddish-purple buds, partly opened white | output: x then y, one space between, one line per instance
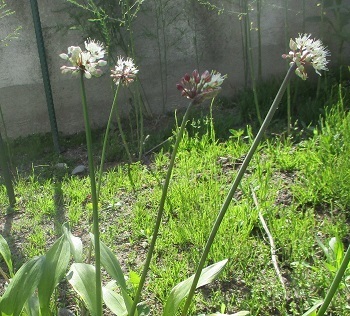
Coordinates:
199 88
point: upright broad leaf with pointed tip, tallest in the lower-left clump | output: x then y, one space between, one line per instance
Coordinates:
54 269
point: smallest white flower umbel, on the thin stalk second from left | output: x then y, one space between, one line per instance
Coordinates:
124 71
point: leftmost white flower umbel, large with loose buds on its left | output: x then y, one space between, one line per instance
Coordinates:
87 61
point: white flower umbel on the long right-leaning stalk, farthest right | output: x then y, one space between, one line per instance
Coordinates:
304 51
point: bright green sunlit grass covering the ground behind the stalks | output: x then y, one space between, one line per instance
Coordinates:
301 182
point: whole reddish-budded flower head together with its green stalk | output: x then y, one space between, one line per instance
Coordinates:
197 89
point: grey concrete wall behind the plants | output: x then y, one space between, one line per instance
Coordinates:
191 37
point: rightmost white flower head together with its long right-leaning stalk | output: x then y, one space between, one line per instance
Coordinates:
304 50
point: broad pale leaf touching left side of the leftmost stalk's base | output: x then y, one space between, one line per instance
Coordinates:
82 278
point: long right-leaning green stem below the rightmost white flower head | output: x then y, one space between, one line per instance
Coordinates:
234 186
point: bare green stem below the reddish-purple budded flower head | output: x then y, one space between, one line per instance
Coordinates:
160 209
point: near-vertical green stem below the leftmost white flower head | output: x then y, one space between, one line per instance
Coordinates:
93 197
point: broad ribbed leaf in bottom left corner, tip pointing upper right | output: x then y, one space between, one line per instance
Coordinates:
22 286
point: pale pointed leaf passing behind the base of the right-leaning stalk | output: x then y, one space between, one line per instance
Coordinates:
181 290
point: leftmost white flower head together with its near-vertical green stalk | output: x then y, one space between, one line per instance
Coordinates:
86 64
